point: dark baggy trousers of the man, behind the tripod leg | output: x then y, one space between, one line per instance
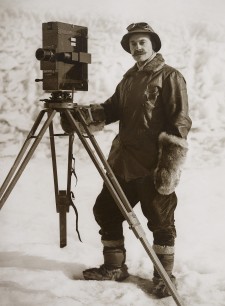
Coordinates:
158 209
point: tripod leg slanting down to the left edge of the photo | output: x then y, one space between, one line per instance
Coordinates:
27 157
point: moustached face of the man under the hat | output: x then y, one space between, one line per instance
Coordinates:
140 47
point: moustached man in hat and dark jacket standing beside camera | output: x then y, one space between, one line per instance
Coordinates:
151 106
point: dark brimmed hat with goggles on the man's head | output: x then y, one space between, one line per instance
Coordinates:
141 27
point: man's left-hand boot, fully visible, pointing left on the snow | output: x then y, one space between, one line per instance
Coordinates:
114 267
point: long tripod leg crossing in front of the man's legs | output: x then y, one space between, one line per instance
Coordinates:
121 200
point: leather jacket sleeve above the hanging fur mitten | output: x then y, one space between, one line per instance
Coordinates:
175 99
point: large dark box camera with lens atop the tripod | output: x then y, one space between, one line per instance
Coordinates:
63 57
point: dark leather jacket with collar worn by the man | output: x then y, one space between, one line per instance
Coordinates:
146 103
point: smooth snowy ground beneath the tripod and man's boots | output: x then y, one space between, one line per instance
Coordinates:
35 271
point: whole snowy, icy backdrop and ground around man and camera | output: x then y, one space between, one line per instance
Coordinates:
33 269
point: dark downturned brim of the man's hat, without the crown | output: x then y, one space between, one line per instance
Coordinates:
153 36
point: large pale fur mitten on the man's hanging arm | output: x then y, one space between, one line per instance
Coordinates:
172 155
